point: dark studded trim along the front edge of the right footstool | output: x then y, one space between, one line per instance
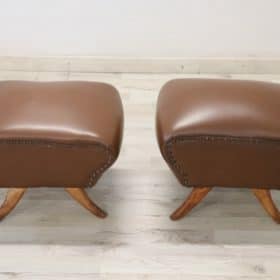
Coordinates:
169 147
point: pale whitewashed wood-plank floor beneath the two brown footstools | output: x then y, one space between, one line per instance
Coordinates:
49 236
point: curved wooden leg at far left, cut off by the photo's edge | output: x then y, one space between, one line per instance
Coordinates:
13 197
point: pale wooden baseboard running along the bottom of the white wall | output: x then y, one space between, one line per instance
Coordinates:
145 65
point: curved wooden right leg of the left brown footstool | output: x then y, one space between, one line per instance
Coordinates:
82 197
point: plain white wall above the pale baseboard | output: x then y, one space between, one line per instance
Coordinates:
140 28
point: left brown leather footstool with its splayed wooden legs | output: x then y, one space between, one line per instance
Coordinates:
59 134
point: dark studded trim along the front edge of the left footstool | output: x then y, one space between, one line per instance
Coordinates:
95 174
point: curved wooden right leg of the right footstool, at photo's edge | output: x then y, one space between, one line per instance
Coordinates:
264 197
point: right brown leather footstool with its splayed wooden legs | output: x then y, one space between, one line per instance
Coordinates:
221 133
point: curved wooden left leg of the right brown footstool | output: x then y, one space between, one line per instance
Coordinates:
196 195
